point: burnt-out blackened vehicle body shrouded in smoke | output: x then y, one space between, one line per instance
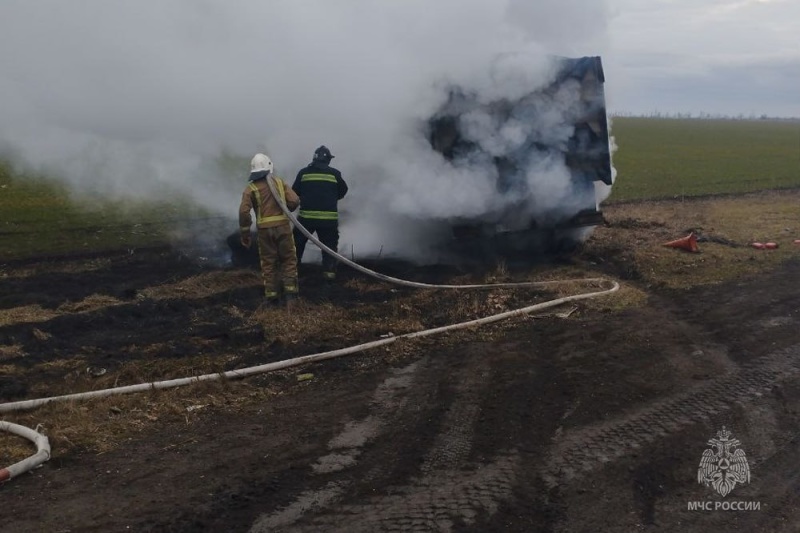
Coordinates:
559 149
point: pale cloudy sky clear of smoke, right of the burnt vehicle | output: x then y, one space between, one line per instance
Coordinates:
714 56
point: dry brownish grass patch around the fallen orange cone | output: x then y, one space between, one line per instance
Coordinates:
727 226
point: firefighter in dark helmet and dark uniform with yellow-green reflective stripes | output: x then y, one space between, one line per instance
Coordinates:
320 187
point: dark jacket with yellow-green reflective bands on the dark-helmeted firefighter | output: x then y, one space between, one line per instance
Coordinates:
320 187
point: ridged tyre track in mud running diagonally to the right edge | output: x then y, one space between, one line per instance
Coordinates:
578 452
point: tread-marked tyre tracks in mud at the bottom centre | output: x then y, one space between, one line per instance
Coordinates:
448 490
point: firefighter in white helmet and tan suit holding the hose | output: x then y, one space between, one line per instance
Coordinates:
276 246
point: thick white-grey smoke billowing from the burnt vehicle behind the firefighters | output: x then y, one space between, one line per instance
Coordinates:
138 99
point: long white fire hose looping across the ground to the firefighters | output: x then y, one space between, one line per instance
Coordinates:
612 286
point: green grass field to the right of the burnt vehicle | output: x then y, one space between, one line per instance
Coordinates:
665 158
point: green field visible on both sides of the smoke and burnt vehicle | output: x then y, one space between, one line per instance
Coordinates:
656 158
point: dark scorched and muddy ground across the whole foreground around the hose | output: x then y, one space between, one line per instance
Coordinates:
592 423
